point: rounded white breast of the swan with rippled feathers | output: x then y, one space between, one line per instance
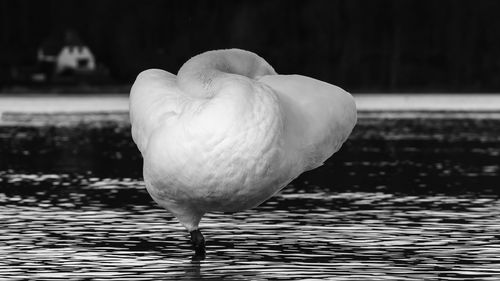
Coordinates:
221 154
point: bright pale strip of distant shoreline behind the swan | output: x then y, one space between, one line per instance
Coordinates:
114 100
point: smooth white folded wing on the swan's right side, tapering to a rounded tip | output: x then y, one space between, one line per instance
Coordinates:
318 117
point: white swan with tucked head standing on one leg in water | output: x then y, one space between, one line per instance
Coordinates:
227 132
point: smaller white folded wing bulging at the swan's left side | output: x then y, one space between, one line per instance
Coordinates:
154 97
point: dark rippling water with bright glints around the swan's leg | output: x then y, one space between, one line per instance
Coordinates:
405 199
